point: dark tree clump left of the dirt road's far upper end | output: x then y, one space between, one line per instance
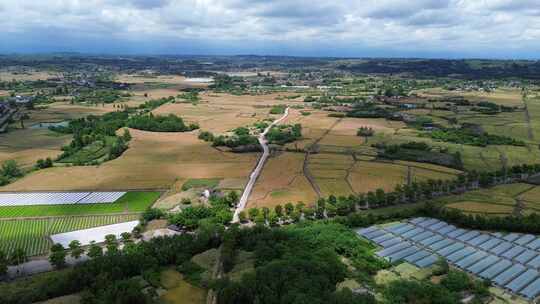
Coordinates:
240 141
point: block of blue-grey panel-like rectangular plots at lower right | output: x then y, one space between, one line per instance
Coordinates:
511 261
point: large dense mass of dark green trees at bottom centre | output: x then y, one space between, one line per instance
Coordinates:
299 264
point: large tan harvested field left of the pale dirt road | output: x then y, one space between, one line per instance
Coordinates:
154 160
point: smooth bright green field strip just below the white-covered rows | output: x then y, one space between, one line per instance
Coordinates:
131 202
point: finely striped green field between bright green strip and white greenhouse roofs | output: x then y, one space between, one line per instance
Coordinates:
33 235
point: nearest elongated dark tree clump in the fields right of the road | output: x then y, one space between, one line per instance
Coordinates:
420 152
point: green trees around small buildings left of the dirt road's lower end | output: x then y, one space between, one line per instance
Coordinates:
219 212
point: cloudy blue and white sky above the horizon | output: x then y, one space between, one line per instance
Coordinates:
359 28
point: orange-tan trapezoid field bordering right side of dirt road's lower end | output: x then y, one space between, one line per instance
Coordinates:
282 180
